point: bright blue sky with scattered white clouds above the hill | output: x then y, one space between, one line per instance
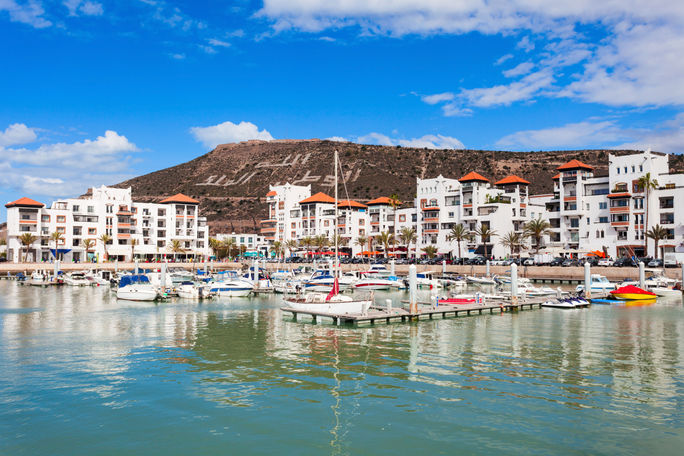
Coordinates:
94 92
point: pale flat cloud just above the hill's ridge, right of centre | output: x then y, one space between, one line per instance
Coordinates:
573 135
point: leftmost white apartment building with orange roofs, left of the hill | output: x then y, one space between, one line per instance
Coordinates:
143 230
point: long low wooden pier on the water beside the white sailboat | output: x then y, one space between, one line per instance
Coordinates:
378 314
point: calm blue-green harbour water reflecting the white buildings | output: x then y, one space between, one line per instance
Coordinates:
83 374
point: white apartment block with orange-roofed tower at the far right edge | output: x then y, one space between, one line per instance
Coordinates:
609 213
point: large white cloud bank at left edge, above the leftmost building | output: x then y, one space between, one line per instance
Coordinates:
65 169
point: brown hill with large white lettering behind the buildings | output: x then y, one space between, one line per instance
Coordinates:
232 180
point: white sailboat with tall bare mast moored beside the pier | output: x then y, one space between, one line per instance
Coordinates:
333 302
